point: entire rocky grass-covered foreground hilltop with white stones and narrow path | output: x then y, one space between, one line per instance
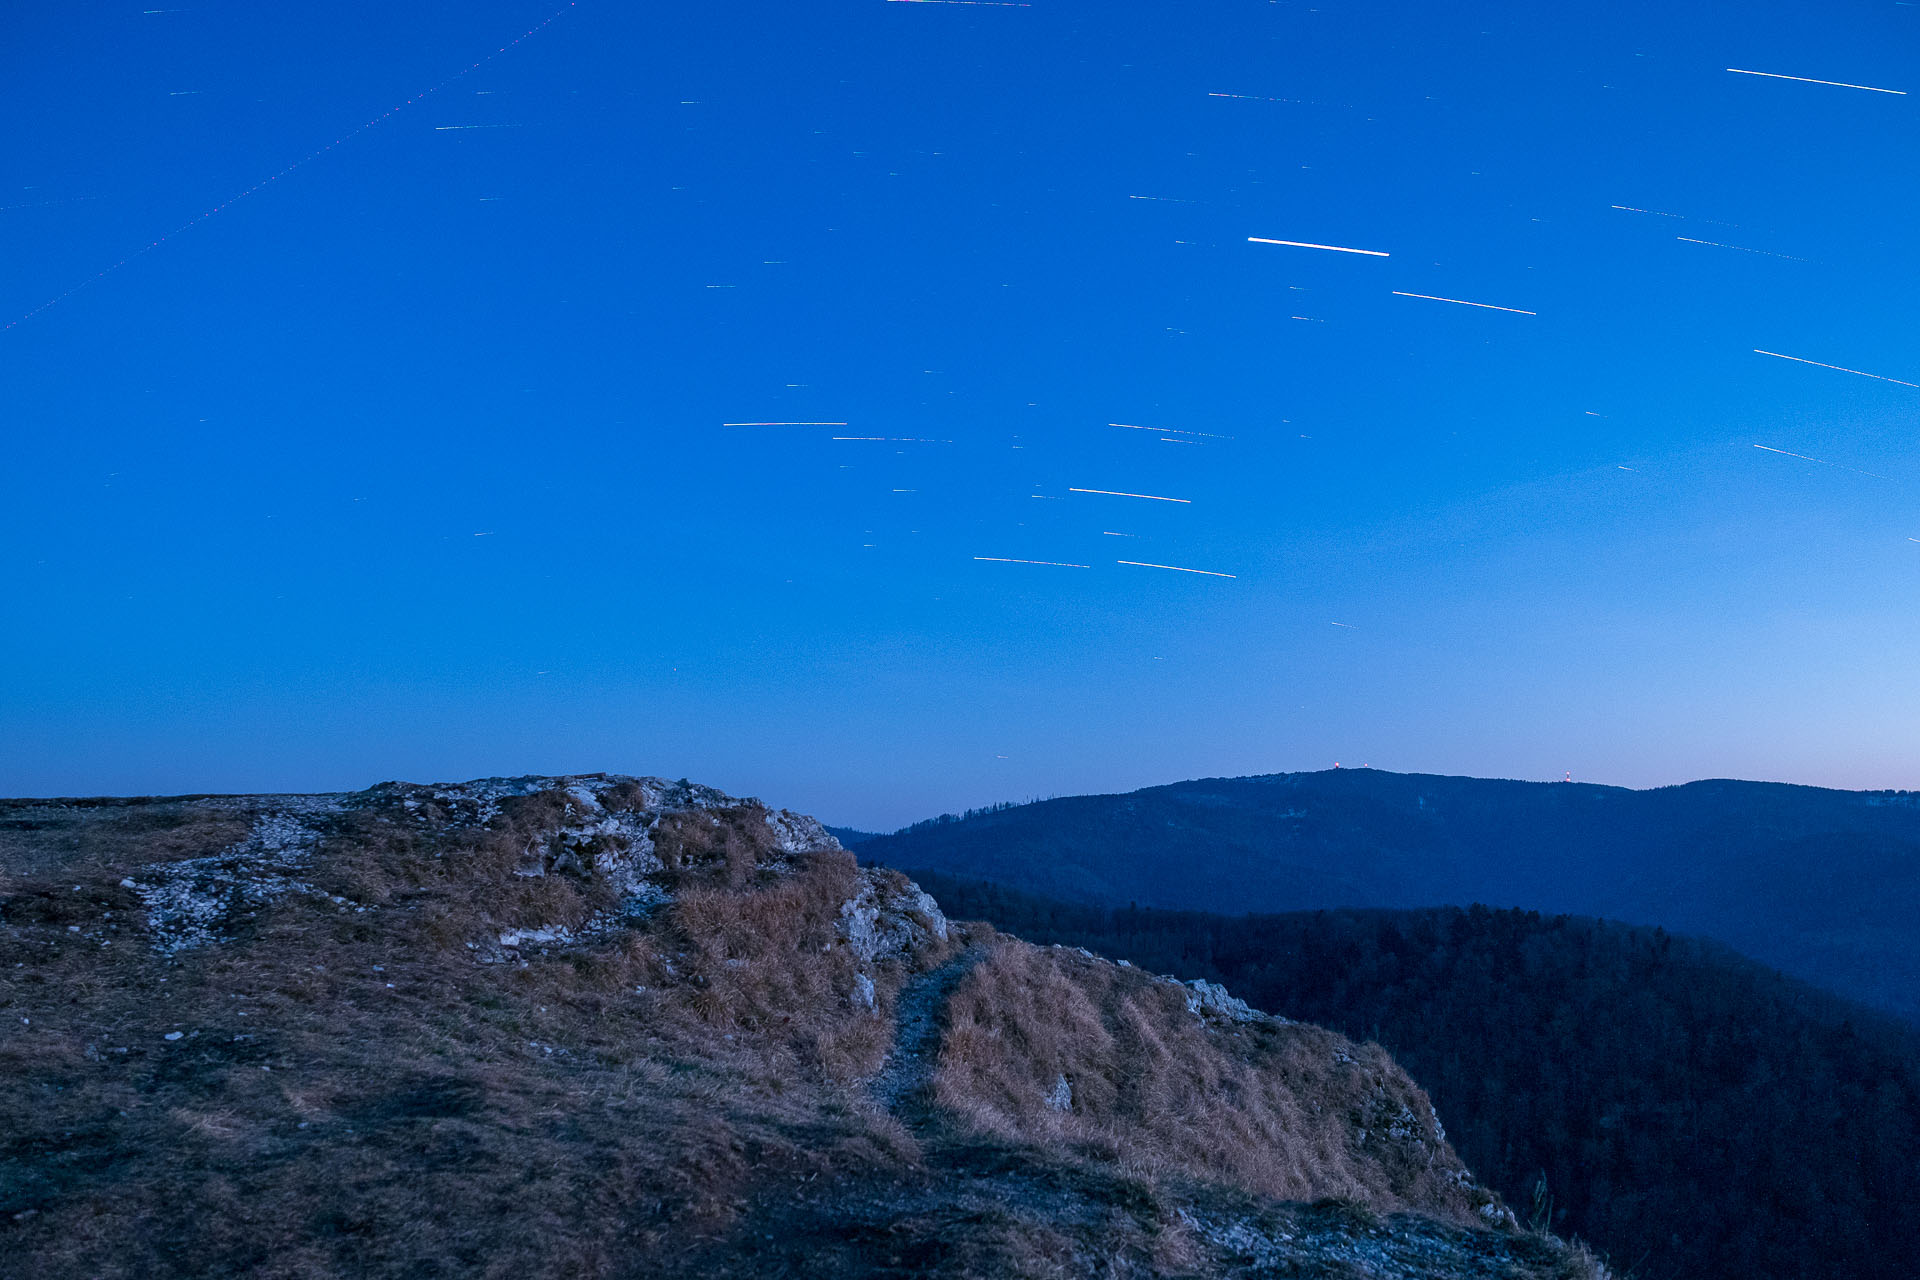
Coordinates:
629 1028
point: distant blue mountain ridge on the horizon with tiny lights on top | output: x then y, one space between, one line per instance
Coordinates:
1819 884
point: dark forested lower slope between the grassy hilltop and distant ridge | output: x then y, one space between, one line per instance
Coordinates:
1671 1102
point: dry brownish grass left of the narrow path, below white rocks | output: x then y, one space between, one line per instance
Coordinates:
354 1095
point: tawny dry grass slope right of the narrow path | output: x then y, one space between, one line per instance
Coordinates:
1282 1110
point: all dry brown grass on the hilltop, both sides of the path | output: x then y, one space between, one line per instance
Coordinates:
354 1093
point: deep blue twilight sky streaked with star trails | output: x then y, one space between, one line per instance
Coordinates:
412 462
